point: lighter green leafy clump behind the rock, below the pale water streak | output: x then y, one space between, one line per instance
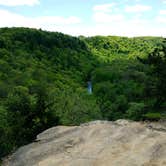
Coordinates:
75 108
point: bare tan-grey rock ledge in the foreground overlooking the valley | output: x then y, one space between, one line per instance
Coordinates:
99 143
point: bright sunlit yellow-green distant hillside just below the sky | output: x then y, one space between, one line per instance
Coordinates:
115 47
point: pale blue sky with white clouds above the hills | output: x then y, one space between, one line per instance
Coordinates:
87 17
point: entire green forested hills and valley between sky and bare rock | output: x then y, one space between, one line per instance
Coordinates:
43 81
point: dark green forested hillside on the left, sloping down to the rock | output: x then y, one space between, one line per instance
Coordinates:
42 83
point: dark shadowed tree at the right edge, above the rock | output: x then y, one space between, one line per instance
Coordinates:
156 85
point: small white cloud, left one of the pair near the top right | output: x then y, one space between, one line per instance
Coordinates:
103 7
